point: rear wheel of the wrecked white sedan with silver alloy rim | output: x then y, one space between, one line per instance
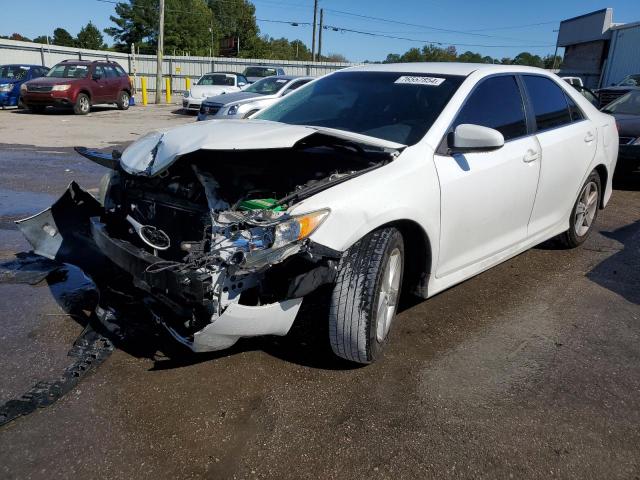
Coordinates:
584 213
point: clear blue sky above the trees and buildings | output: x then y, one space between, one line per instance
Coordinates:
498 28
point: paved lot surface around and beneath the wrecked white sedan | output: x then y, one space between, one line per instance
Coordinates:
530 370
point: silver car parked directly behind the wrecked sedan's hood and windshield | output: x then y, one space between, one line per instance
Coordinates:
256 96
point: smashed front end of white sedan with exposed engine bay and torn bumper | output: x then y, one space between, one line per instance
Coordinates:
207 243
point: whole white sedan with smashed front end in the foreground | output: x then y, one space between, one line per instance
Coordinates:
367 182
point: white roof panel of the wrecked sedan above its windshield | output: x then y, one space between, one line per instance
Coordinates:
444 68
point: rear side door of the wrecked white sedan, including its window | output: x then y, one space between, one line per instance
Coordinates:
568 141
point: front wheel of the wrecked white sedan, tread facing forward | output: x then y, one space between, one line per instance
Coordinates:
365 296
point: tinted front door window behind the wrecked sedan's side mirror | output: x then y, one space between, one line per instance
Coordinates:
496 103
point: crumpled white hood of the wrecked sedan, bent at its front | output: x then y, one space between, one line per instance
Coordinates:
158 150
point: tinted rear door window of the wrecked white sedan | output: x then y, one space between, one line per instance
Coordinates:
549 102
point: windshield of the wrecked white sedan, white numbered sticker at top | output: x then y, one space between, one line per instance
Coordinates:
399 107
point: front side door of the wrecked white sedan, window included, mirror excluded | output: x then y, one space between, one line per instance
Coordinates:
487 197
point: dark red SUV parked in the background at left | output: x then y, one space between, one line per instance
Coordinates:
79 85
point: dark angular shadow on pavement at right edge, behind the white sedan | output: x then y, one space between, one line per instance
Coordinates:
620 273
